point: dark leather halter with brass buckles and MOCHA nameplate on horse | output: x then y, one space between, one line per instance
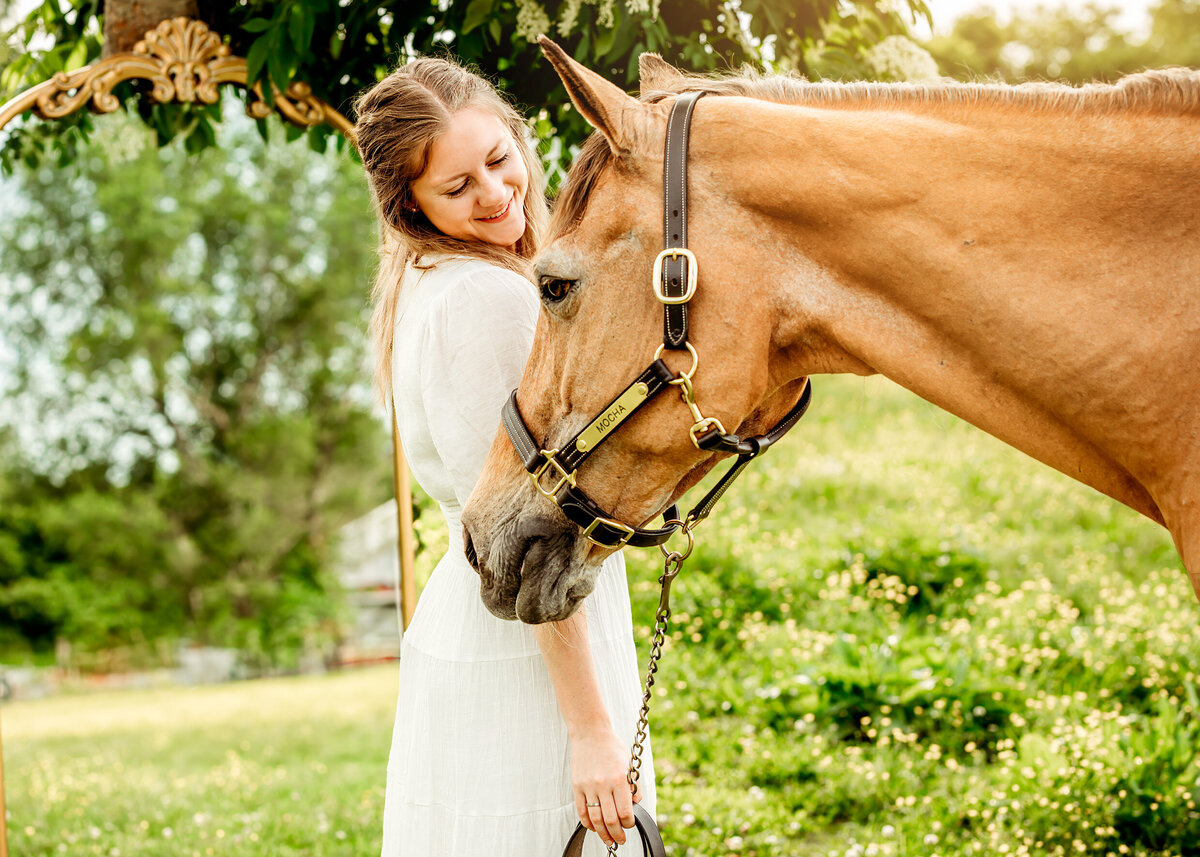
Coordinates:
675 284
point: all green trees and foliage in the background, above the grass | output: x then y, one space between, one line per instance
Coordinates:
187 418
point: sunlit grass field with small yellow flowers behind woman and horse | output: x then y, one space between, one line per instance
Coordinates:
896 638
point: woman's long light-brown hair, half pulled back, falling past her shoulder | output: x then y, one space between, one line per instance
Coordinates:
399 119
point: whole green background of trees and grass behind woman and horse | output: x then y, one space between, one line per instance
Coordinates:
903 639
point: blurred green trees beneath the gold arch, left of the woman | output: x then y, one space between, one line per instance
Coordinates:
190 418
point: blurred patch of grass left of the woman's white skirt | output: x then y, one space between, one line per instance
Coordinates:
269 768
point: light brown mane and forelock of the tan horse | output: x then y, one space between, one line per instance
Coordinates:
1171 92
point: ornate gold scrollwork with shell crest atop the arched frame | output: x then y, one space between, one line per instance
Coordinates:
184 62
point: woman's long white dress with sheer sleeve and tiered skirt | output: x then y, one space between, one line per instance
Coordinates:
481 762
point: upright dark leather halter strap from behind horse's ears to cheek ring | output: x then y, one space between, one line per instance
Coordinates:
675 219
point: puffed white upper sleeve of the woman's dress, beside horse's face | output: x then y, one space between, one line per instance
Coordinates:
477 345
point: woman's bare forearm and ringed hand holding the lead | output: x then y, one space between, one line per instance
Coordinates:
599 759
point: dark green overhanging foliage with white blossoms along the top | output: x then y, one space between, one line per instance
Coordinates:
341 49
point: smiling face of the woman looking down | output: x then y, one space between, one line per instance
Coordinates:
475 185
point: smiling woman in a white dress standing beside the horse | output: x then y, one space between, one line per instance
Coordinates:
506 734
